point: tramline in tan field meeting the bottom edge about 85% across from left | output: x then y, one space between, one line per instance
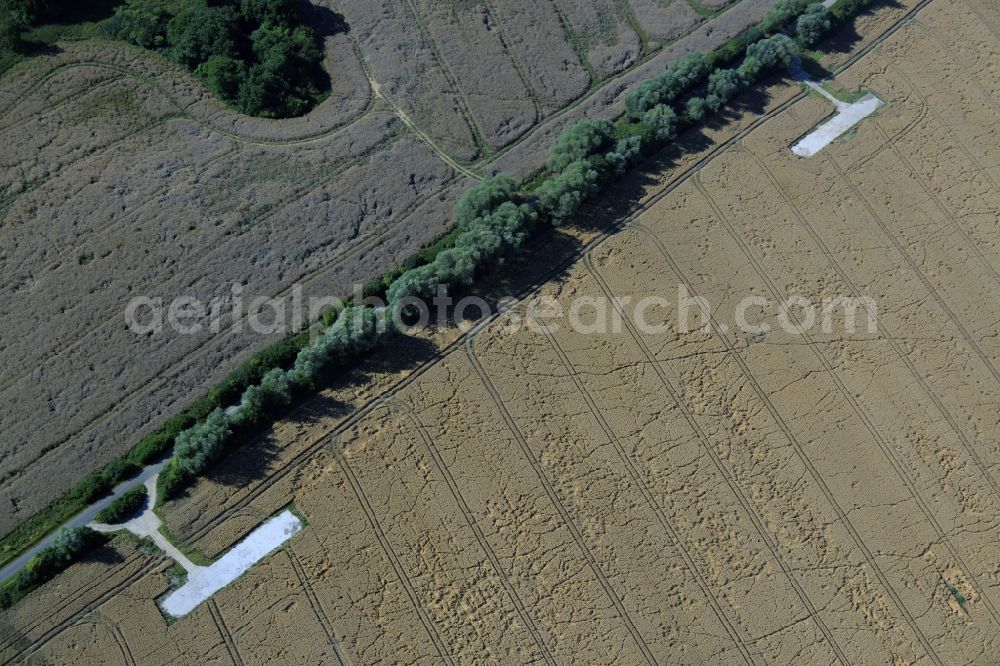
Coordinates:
756 517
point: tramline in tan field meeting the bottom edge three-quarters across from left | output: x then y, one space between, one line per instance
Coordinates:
666 524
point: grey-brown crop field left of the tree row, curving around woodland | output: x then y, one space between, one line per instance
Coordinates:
122 177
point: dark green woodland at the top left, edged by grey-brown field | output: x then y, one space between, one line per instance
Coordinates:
257 55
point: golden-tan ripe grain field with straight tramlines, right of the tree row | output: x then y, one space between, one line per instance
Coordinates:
630 497
